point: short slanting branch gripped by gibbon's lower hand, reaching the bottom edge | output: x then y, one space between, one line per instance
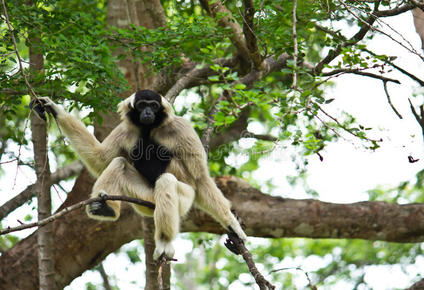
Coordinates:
236 245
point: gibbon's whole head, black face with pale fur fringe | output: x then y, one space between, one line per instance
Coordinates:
145 108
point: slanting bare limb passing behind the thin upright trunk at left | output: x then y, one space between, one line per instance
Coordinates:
29 192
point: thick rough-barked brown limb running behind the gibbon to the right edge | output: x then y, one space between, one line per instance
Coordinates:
82 243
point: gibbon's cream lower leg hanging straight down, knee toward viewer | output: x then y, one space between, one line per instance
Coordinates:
173 199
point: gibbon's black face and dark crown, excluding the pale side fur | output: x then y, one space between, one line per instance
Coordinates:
147 110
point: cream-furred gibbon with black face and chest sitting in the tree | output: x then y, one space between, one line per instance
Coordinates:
153 155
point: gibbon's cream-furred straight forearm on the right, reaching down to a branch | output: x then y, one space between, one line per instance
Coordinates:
210 199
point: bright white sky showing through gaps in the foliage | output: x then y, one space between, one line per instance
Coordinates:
346 173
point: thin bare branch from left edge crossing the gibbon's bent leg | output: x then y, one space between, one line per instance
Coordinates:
77 206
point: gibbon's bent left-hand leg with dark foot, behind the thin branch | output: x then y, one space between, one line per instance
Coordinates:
119 178
